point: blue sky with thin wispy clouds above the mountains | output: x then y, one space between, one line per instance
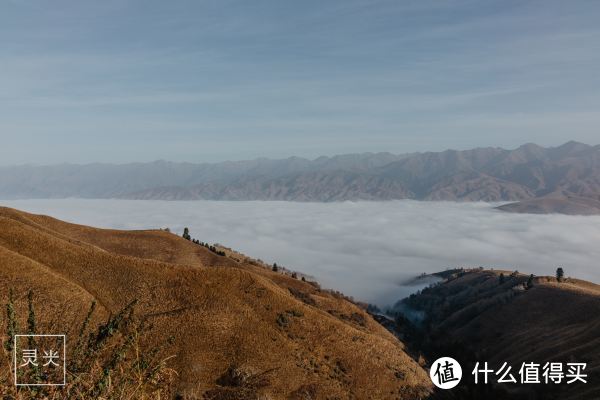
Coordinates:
128 80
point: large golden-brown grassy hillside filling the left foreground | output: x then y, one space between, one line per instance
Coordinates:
221 313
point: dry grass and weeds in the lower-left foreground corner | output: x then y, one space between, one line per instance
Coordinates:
106 362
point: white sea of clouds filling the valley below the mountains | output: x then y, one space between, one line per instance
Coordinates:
370 250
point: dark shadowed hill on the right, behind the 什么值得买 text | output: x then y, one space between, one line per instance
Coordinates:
477 316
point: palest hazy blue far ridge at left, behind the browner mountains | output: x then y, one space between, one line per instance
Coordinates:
99 180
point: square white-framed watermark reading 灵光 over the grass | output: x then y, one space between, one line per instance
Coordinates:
39 360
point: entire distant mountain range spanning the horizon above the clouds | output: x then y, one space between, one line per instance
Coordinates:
482 174
